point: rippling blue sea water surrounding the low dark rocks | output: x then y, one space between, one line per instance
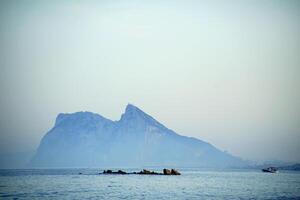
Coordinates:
192 184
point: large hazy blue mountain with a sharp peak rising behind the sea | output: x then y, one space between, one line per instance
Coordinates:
86 139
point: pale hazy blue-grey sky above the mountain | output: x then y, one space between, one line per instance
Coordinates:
226 72
